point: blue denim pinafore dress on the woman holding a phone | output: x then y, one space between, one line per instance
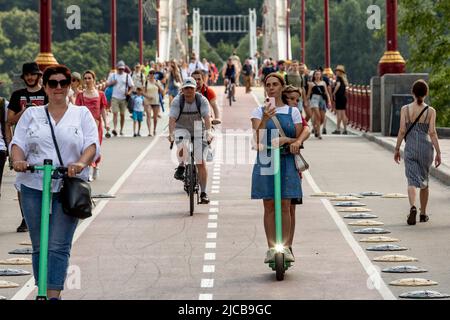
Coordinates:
263 178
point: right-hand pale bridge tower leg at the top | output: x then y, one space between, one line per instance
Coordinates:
276 44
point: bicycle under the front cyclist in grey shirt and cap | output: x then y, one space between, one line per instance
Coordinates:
191 179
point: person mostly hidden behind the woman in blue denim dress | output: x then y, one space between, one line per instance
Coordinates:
292 97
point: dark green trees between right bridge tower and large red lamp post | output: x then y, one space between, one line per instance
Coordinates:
352 43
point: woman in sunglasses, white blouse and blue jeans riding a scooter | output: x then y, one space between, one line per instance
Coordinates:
77 138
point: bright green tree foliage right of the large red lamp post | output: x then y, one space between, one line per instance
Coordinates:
426 24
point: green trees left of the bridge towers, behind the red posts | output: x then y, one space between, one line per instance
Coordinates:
88 47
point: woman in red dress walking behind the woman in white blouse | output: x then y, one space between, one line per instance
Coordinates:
95 101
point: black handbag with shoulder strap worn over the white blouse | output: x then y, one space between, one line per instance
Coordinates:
75 194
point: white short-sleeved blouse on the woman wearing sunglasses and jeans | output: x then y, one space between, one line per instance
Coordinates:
75 132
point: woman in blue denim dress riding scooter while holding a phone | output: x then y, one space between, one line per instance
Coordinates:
262 177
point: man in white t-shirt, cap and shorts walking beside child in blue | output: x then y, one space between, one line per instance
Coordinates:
122 86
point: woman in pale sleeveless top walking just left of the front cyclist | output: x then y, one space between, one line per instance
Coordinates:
153 88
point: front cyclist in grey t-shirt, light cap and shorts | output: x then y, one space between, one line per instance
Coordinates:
189 118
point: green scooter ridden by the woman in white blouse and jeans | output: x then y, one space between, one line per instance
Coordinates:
50 172
